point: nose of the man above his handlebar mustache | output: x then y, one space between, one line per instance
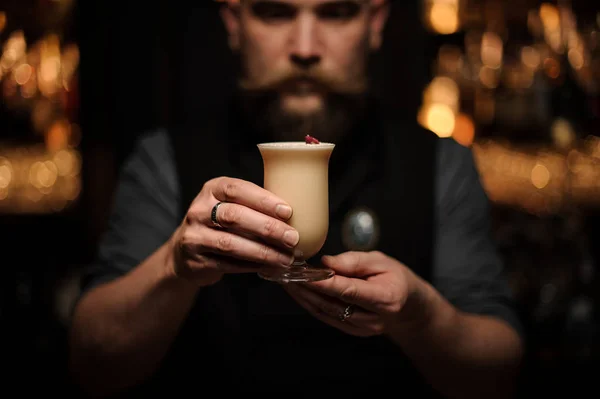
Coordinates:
305 48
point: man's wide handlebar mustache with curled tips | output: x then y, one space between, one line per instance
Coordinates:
319 81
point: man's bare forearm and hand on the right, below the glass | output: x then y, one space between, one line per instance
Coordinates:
460 354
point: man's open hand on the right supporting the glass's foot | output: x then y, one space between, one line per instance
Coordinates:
380 291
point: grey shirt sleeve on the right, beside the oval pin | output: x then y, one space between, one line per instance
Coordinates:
468 269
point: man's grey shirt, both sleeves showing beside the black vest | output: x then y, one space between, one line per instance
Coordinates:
467 270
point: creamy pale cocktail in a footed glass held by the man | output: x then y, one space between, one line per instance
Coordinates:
298 173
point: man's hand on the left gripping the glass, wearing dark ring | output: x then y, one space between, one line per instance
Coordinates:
253 232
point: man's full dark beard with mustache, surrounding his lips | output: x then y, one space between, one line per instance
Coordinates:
342 106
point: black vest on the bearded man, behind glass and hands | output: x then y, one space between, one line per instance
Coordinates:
246 334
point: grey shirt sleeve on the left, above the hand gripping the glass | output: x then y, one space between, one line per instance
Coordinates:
144 211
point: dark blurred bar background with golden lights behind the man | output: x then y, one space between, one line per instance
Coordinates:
517 81
